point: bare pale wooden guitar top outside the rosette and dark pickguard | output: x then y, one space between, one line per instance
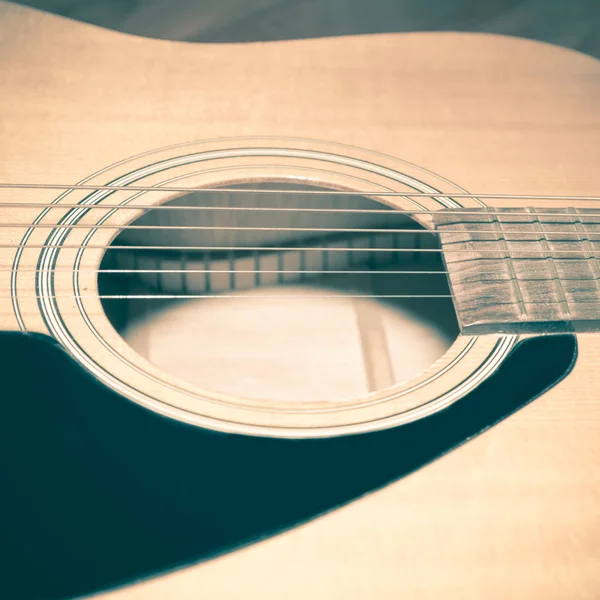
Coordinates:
513 513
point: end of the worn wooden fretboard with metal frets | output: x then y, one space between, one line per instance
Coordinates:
523 270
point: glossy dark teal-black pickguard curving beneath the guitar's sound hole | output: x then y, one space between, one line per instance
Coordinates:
98 492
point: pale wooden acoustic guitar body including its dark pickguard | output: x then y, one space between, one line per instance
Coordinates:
511 513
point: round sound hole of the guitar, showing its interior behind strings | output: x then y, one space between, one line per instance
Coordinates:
281 315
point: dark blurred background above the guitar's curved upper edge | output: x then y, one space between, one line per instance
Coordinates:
572 23
